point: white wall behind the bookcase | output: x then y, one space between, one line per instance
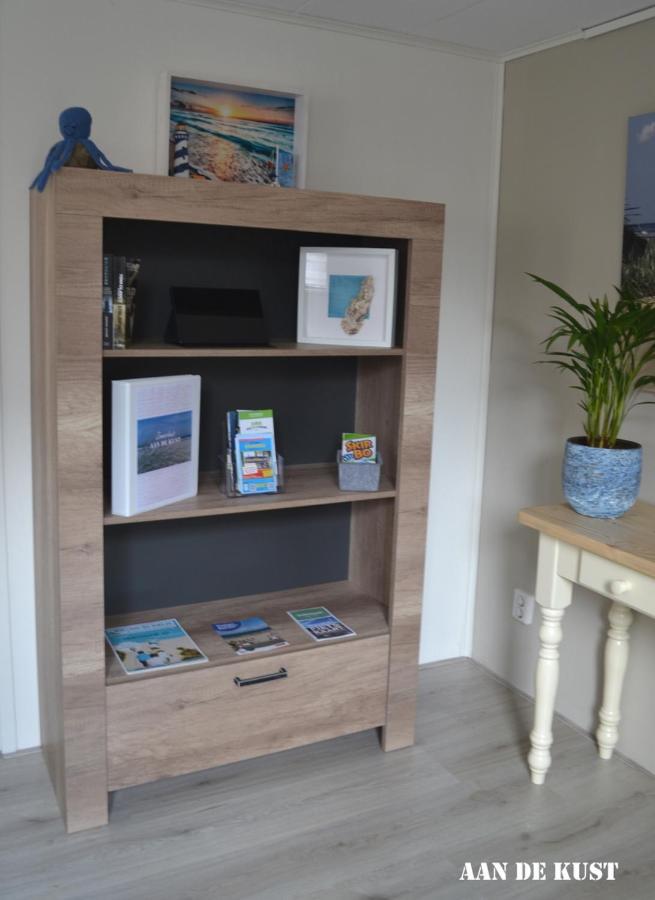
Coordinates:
384 119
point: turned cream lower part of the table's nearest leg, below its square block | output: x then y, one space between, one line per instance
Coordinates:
541 736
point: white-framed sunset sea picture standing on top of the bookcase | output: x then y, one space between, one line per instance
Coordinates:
215 131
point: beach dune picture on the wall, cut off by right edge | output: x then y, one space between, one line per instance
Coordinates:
638 256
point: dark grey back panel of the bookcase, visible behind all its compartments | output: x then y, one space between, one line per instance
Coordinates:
188 561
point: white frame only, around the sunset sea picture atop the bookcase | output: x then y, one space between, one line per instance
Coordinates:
164 127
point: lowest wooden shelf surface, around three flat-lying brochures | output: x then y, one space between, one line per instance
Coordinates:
361 612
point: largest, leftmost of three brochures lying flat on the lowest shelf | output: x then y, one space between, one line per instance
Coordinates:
153 646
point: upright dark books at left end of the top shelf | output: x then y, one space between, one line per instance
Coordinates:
119 274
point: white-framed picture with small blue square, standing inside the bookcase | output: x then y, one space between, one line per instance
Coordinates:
346 296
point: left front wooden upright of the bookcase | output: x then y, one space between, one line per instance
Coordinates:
78 245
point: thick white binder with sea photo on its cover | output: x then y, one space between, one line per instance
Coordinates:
155 427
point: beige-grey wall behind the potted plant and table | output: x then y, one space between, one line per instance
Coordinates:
561 208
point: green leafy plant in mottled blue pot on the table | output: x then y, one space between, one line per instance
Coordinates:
607 348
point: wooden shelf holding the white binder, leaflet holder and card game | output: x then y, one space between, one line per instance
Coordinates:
308 485
